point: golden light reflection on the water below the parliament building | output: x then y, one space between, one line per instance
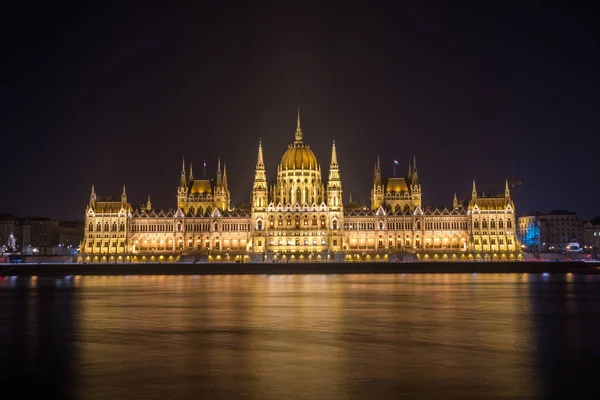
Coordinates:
314 335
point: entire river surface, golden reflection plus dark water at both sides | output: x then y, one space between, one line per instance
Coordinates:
428 336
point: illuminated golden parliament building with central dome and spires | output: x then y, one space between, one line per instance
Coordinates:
300 218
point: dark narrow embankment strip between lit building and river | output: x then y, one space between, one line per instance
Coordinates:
296 268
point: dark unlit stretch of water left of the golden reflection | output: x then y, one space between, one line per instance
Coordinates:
37 337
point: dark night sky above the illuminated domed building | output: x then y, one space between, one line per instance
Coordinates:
111 94
